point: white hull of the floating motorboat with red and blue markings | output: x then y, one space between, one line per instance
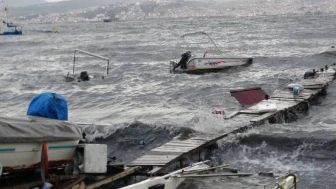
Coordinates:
212 64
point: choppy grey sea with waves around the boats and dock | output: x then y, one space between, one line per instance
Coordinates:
141 105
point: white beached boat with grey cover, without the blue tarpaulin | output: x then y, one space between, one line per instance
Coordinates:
23 141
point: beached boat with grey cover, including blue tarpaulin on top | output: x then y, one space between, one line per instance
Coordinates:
44 135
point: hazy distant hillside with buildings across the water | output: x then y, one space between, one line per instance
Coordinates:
93 10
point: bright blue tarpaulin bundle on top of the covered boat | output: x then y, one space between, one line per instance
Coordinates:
49 105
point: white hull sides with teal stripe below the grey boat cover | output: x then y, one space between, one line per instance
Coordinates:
22 156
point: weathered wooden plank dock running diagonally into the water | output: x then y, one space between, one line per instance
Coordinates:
176 150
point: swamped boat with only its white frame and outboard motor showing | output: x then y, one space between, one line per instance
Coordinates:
84 75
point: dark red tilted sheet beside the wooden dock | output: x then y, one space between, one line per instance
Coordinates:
247 97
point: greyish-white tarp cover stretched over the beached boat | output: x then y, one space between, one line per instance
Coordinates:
31 129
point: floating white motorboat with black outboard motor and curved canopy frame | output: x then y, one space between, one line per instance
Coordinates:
195 65
